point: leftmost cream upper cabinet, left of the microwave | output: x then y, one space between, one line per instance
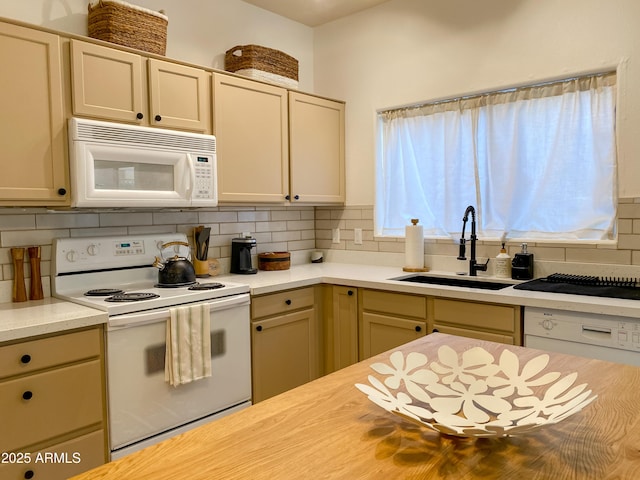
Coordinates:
32 132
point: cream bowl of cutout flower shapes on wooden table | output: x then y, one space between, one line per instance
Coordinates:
471 395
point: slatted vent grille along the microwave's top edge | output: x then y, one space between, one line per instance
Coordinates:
146 137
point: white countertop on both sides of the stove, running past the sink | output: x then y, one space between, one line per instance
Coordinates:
50 315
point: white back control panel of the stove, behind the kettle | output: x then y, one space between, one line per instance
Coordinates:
72 255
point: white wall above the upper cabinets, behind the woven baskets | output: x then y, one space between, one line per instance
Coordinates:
199 31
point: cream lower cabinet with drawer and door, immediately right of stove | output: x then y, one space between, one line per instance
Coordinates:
285 341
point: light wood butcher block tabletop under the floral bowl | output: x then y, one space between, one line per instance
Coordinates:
328 429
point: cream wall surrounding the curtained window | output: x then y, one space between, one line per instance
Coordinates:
407 51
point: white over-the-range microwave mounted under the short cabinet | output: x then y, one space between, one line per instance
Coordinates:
117 165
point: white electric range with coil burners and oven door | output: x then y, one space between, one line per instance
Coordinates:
115 274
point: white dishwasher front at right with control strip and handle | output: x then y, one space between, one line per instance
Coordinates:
585 328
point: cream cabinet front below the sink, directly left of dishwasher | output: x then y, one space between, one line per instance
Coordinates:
484 321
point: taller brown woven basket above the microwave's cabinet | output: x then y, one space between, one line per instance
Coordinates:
129 25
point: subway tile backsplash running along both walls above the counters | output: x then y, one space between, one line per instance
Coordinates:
280 228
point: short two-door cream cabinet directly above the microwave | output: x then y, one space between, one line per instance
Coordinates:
117 85
